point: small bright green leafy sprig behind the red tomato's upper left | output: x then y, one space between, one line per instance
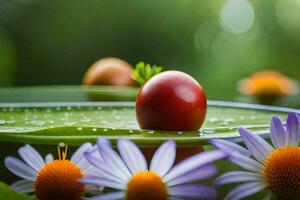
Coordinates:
144 72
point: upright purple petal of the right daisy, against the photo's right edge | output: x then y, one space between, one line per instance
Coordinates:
293 130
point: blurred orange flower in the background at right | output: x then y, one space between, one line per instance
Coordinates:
268 83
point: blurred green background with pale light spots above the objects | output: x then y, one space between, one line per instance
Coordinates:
53 42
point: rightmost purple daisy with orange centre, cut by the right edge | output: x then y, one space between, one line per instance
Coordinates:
275 167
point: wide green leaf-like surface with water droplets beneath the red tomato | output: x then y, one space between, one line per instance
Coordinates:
75 123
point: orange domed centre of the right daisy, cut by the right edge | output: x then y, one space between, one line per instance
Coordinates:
282 171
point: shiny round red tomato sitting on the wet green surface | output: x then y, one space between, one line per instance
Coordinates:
172 101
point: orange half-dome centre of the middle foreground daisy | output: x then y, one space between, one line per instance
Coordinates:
147 186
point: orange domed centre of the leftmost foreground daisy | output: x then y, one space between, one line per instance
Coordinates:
59 180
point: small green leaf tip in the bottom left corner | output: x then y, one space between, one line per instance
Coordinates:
8 194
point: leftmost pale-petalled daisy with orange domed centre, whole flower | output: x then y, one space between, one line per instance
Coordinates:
49 178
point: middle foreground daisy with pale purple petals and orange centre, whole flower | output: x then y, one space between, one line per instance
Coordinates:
128 172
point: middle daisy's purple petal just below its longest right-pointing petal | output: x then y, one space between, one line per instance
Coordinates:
195 175
